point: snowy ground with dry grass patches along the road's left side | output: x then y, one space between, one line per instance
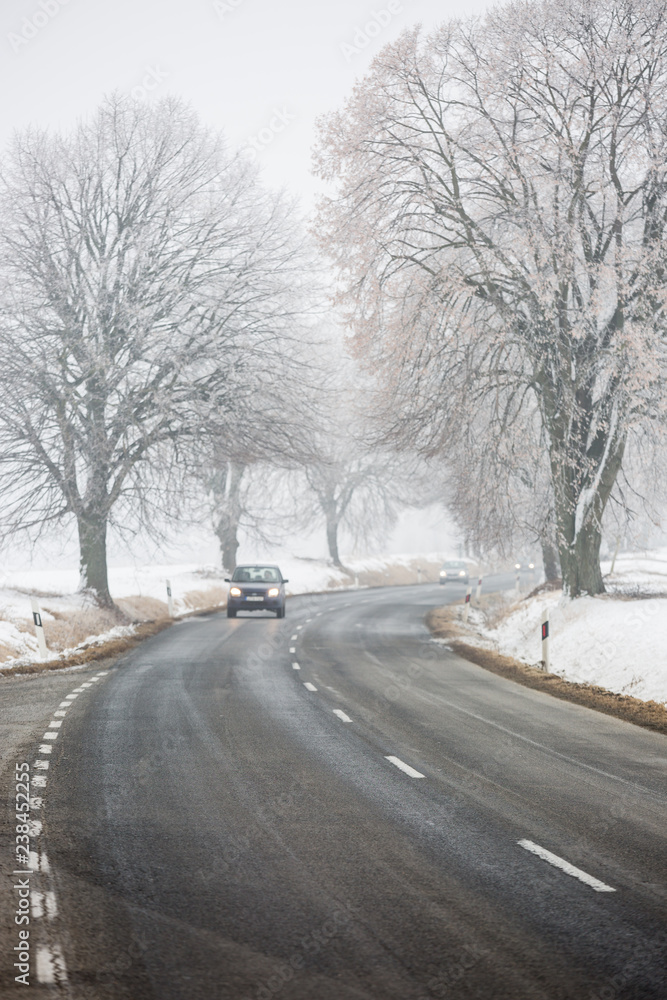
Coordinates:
141 591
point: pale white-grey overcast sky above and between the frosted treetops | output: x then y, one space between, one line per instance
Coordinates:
262 70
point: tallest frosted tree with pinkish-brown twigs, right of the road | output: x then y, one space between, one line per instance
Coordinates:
499 226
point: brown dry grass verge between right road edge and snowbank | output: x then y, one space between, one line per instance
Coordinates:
648 714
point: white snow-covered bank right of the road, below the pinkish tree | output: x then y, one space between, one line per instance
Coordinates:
617 641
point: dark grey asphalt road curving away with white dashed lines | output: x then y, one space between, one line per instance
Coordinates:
334 806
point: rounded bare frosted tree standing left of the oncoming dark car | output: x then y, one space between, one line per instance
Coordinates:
147 284
